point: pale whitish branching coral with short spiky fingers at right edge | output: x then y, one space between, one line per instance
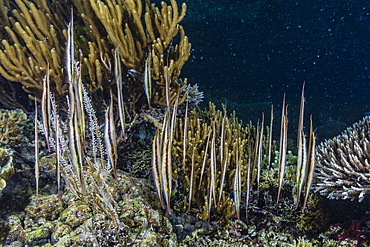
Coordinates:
342 170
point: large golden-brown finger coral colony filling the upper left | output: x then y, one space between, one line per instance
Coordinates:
34 41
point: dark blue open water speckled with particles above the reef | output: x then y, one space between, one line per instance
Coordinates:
273 47
